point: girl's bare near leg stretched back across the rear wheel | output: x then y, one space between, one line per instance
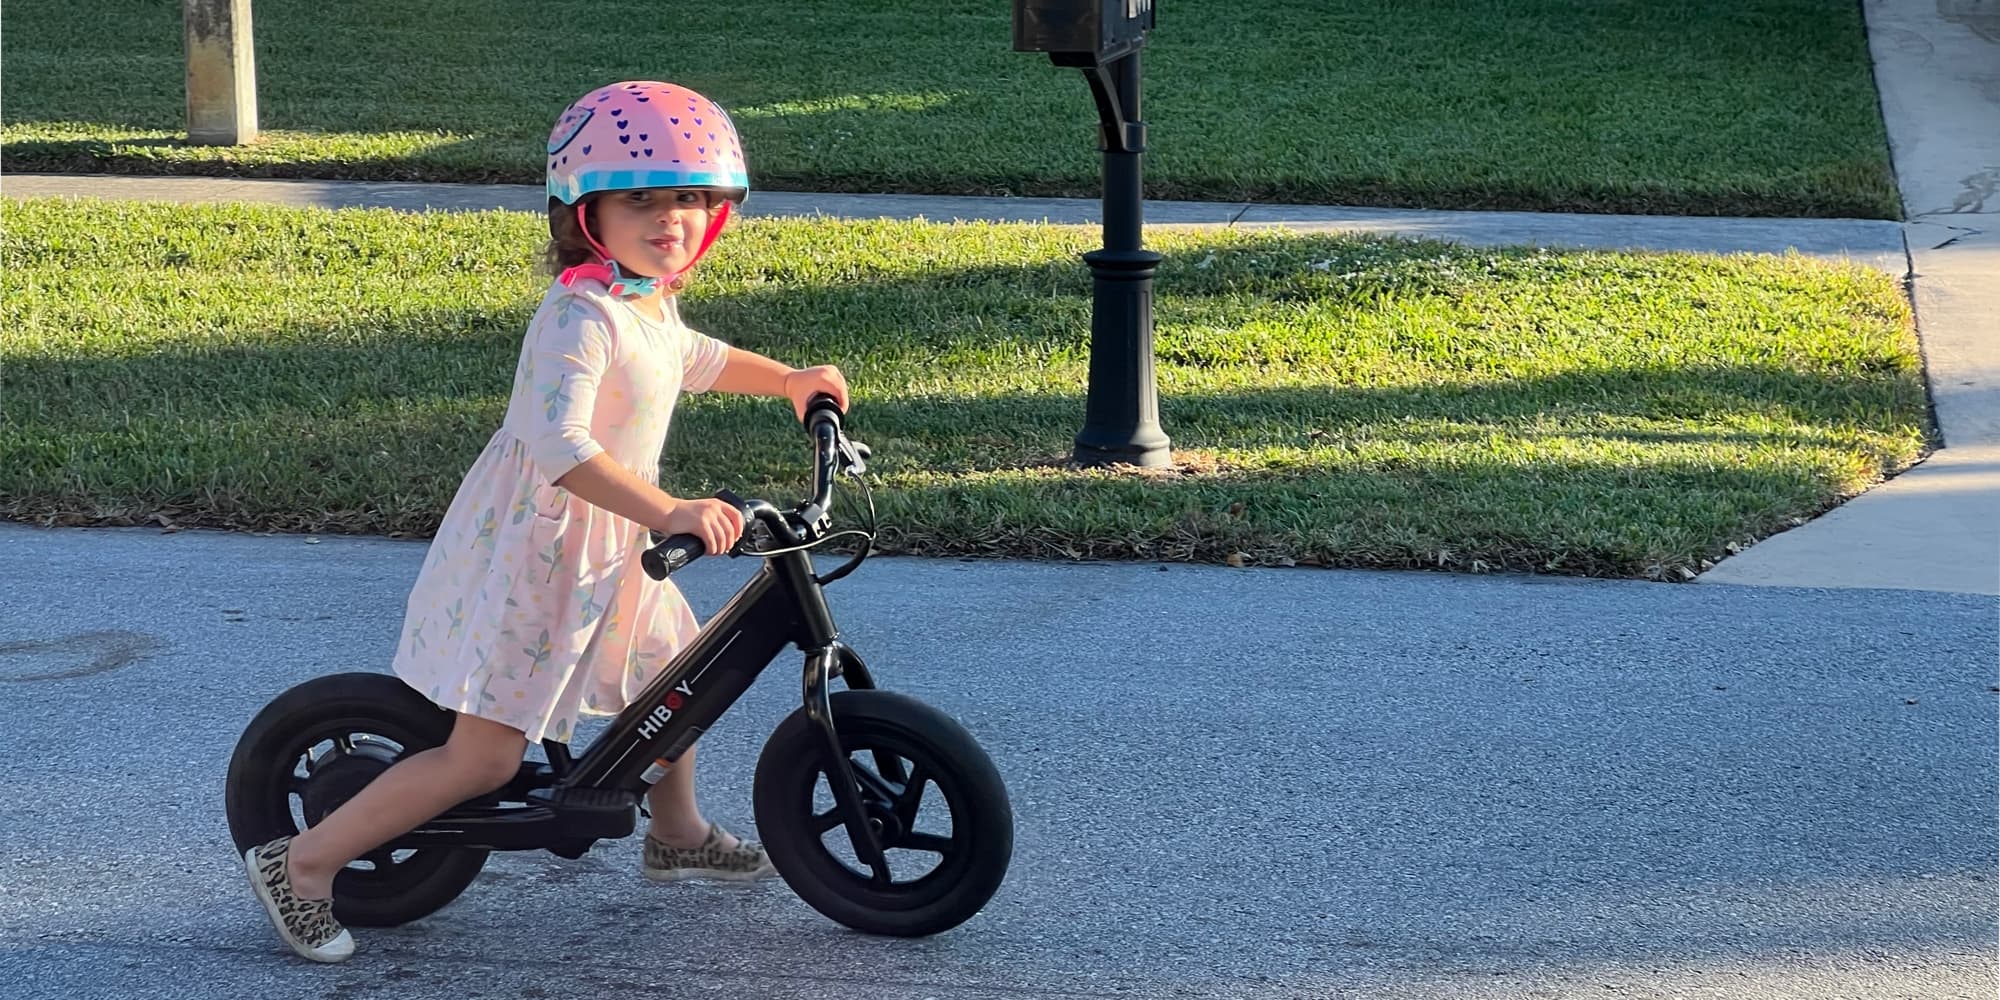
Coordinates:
479 759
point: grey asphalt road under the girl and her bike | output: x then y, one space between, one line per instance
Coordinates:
1227 785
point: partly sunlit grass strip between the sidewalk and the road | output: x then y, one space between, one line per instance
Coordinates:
1333 401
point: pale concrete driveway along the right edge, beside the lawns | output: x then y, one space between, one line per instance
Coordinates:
1939 525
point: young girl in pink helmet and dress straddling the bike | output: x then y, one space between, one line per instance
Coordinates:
531 607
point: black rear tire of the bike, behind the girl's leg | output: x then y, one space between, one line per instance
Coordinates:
263 785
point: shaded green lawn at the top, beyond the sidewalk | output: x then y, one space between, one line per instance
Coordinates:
1755 107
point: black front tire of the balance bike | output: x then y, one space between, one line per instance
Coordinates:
877 727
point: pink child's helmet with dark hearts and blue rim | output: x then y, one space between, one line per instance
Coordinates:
645 135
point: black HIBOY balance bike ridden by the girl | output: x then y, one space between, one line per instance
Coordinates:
847 791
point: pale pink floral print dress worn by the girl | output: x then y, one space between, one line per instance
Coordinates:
531 607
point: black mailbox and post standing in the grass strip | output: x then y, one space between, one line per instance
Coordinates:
1123 405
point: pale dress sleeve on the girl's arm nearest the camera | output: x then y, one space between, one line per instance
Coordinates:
571 345
